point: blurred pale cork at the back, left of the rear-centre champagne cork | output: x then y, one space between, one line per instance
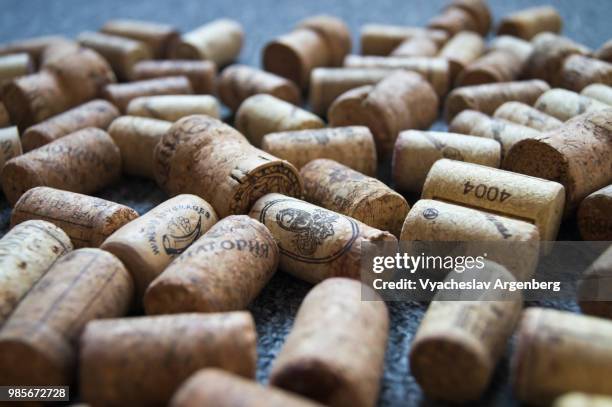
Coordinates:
219 41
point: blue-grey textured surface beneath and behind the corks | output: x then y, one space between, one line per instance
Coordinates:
587 21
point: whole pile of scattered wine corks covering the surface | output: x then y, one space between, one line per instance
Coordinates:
153 308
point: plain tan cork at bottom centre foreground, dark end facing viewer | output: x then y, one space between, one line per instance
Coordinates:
335 351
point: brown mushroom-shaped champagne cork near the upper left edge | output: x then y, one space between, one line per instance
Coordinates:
60 85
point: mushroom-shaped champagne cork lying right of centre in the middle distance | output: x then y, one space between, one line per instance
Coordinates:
403 100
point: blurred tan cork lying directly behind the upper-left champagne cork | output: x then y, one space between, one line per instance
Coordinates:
121 53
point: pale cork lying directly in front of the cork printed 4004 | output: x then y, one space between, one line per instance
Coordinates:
437 221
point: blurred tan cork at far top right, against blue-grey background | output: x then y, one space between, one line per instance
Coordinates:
531 21
